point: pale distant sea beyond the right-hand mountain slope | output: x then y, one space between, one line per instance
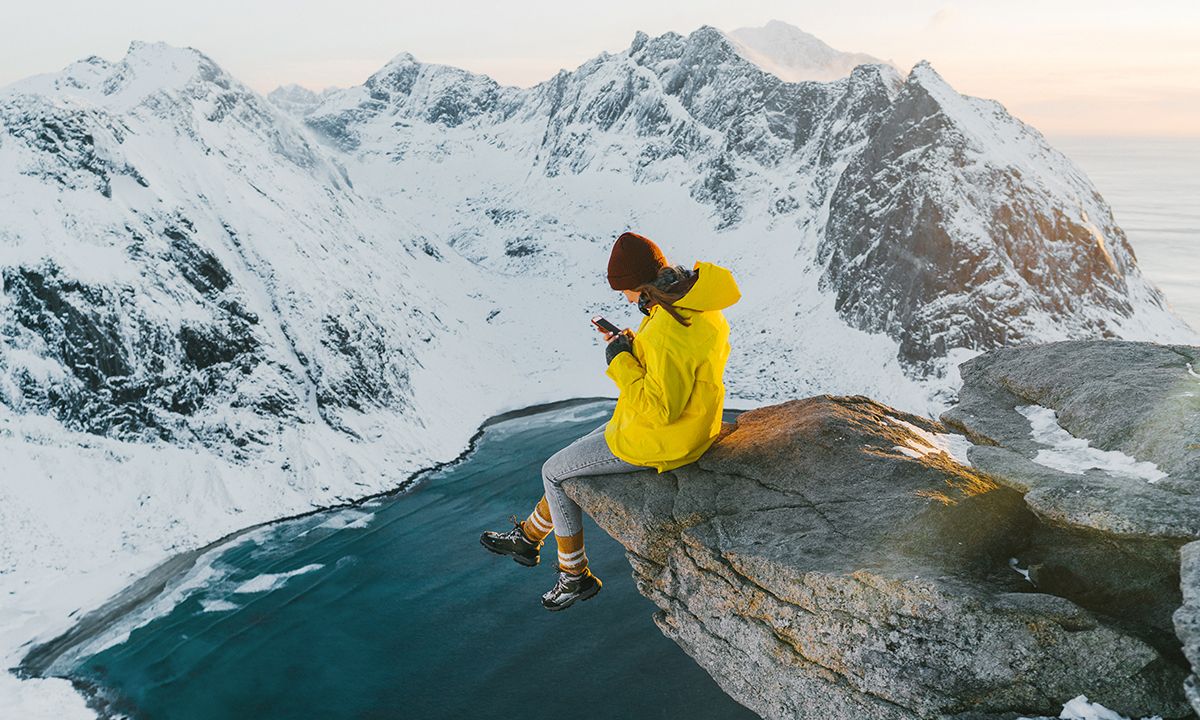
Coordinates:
1154 187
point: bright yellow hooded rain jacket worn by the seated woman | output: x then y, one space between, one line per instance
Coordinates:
673 392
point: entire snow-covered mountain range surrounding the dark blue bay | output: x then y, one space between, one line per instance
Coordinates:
217 313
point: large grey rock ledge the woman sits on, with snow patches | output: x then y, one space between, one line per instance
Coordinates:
835 557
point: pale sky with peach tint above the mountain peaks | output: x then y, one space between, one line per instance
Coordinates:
1066 67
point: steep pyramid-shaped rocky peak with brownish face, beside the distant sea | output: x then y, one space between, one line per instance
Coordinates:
910 200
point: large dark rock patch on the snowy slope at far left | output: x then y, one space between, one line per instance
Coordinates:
127 375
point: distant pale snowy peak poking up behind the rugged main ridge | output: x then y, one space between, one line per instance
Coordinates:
795 56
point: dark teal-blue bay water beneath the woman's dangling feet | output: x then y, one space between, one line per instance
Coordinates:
394 610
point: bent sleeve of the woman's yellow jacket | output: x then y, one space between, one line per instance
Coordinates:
659 391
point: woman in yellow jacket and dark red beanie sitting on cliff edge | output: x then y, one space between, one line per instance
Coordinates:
669 411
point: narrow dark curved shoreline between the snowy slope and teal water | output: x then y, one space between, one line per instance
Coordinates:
39 659
